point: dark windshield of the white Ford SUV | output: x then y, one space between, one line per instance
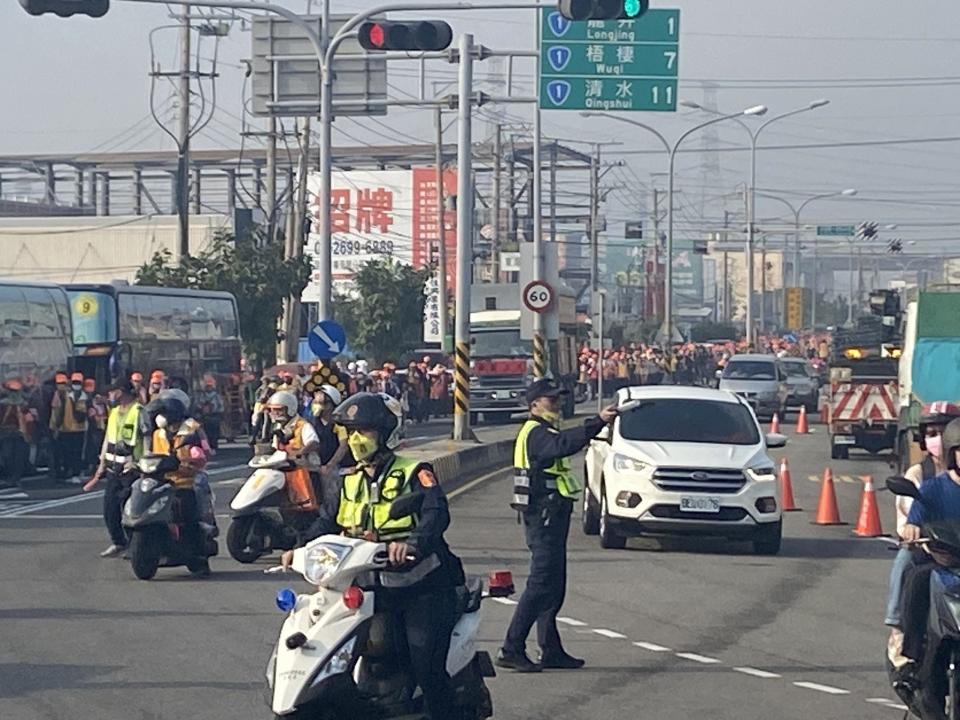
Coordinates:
704 421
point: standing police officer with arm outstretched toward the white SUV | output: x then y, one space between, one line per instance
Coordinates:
543 493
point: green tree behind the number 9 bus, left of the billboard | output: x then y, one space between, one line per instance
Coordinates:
257 275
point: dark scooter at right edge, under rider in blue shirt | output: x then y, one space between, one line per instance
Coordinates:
938 695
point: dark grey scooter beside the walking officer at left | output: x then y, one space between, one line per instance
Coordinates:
152 515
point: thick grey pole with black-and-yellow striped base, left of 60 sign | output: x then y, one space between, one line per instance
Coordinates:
461 417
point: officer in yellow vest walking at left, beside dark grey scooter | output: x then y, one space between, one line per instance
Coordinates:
122 447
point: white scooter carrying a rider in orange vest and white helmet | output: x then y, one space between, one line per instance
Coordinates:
263 518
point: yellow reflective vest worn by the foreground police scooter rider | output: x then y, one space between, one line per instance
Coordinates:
365 501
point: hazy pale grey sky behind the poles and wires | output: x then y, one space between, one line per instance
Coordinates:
888 69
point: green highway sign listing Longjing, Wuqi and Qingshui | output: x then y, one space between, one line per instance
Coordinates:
610 64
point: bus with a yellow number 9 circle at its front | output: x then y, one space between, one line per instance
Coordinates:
121 328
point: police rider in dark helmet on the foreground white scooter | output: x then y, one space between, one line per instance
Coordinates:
423 597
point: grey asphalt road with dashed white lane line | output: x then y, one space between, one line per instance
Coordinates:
671 630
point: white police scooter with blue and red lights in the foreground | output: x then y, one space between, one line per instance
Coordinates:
338 657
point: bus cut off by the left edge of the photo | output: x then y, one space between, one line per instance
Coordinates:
35 332
